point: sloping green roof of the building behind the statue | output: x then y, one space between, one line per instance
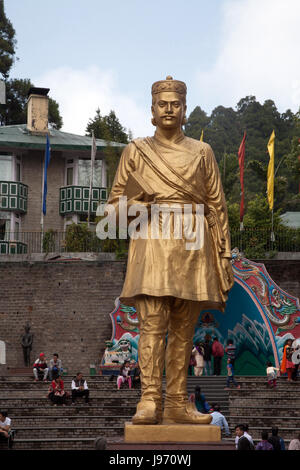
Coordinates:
18 136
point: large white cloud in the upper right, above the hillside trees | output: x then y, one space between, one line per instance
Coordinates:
259 55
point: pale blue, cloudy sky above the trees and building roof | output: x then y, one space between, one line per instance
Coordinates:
107 54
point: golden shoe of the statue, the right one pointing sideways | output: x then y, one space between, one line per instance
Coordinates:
187 414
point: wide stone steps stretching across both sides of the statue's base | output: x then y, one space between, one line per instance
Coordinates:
41 426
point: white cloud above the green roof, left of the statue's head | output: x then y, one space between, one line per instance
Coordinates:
80 92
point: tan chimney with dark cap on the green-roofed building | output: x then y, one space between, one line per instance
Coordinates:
37 110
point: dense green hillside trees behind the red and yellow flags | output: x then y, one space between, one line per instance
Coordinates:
224 129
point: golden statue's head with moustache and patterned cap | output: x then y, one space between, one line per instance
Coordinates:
168 103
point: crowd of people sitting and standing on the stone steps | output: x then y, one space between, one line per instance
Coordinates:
201 361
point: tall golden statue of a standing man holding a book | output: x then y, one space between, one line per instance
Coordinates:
166 283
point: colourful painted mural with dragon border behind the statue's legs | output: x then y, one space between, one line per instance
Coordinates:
259 318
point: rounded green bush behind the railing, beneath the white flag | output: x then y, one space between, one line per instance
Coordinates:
80 239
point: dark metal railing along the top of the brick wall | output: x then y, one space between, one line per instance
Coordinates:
255 243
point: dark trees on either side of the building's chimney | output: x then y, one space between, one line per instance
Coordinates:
15 110
